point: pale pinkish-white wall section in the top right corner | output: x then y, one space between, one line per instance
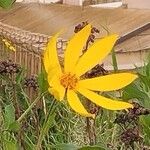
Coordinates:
145 4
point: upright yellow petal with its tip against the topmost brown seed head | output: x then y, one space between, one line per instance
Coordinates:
75 47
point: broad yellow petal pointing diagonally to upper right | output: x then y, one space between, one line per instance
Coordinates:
95 54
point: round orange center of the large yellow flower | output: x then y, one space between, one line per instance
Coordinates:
68 81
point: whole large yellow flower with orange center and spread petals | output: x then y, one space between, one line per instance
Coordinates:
67 81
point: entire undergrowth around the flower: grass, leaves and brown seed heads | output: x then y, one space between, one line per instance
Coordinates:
34 121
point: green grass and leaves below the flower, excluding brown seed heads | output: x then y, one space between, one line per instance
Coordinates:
52 125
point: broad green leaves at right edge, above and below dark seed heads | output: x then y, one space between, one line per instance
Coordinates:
140 92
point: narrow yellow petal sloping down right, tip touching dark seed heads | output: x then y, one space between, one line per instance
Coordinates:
103 101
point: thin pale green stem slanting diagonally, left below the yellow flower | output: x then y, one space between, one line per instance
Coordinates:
30 107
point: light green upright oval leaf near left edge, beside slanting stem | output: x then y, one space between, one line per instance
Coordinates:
9 115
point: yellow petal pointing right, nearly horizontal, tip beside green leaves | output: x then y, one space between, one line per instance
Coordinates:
108 82
